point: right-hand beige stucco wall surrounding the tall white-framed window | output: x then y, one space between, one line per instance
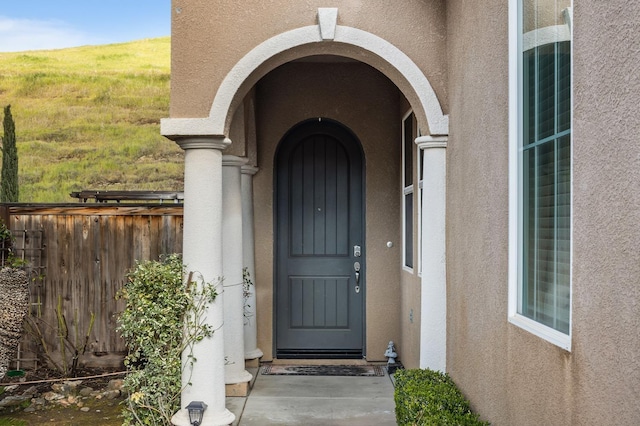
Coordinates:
511 376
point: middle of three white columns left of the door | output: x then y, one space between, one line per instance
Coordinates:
232 271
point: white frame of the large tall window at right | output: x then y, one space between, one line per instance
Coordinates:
516 47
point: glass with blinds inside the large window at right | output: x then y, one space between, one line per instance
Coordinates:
544 291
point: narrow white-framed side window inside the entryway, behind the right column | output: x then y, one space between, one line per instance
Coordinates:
408 138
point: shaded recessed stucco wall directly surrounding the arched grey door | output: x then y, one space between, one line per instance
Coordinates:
367 103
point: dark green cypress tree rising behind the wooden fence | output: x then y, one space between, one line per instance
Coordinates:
9 184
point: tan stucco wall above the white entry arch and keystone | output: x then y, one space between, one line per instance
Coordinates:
210 37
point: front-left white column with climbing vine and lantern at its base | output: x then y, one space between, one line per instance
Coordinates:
202 253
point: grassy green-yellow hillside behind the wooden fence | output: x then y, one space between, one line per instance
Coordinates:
89 118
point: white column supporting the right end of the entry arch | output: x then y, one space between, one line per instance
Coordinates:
433 324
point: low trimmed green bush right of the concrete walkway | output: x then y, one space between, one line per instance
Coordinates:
427 397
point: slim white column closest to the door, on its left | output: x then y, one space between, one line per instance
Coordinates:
251 350
